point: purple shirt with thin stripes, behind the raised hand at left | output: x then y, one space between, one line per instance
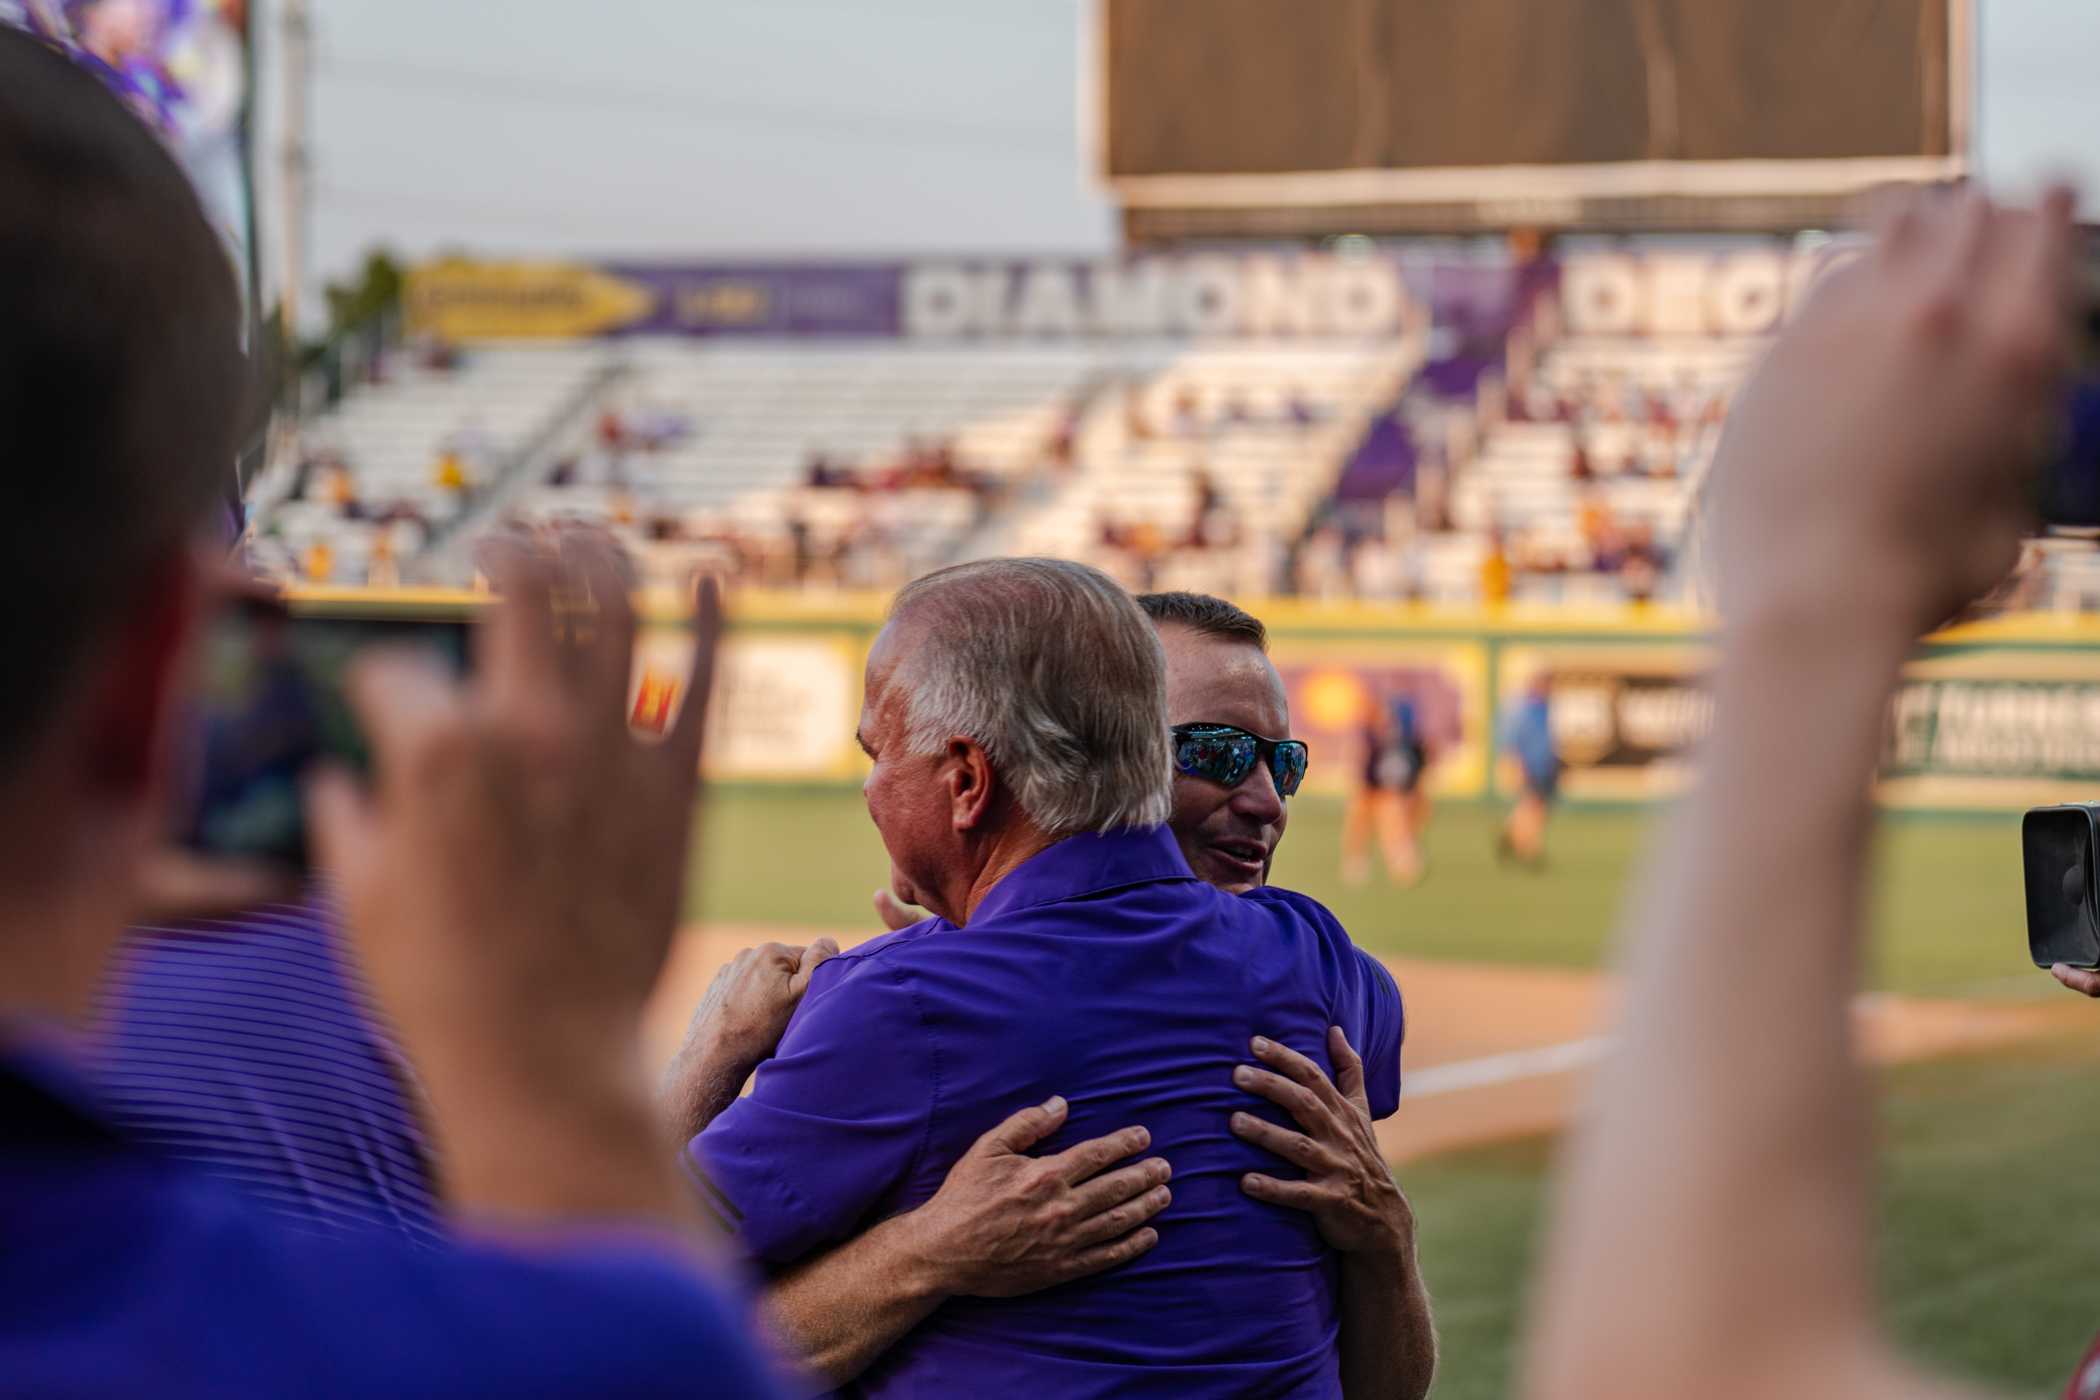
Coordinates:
253 1051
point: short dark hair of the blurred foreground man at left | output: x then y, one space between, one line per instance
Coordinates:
121 370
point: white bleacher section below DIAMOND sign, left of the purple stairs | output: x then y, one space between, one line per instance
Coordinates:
719 442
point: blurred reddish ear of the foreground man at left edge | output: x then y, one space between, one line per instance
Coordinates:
129 717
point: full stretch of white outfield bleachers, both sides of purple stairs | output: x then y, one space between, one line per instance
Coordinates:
1568 471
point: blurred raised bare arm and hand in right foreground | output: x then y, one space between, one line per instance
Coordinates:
1715 1214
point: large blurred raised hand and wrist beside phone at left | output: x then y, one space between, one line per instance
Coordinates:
513 881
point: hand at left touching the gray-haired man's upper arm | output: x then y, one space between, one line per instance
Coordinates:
736 1027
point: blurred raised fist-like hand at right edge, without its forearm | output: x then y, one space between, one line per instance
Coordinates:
1874 469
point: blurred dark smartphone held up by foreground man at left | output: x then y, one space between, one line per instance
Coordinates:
268 704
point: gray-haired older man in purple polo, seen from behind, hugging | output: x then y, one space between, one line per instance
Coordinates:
1022 773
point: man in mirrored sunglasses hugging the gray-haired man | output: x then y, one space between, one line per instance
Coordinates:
1009 1225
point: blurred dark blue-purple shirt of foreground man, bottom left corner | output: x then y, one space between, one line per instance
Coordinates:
125 1273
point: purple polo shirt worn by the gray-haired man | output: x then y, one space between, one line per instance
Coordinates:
1101 971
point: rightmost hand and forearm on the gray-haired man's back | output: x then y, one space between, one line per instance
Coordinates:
1389 1338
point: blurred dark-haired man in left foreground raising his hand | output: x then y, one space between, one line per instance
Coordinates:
513 876
